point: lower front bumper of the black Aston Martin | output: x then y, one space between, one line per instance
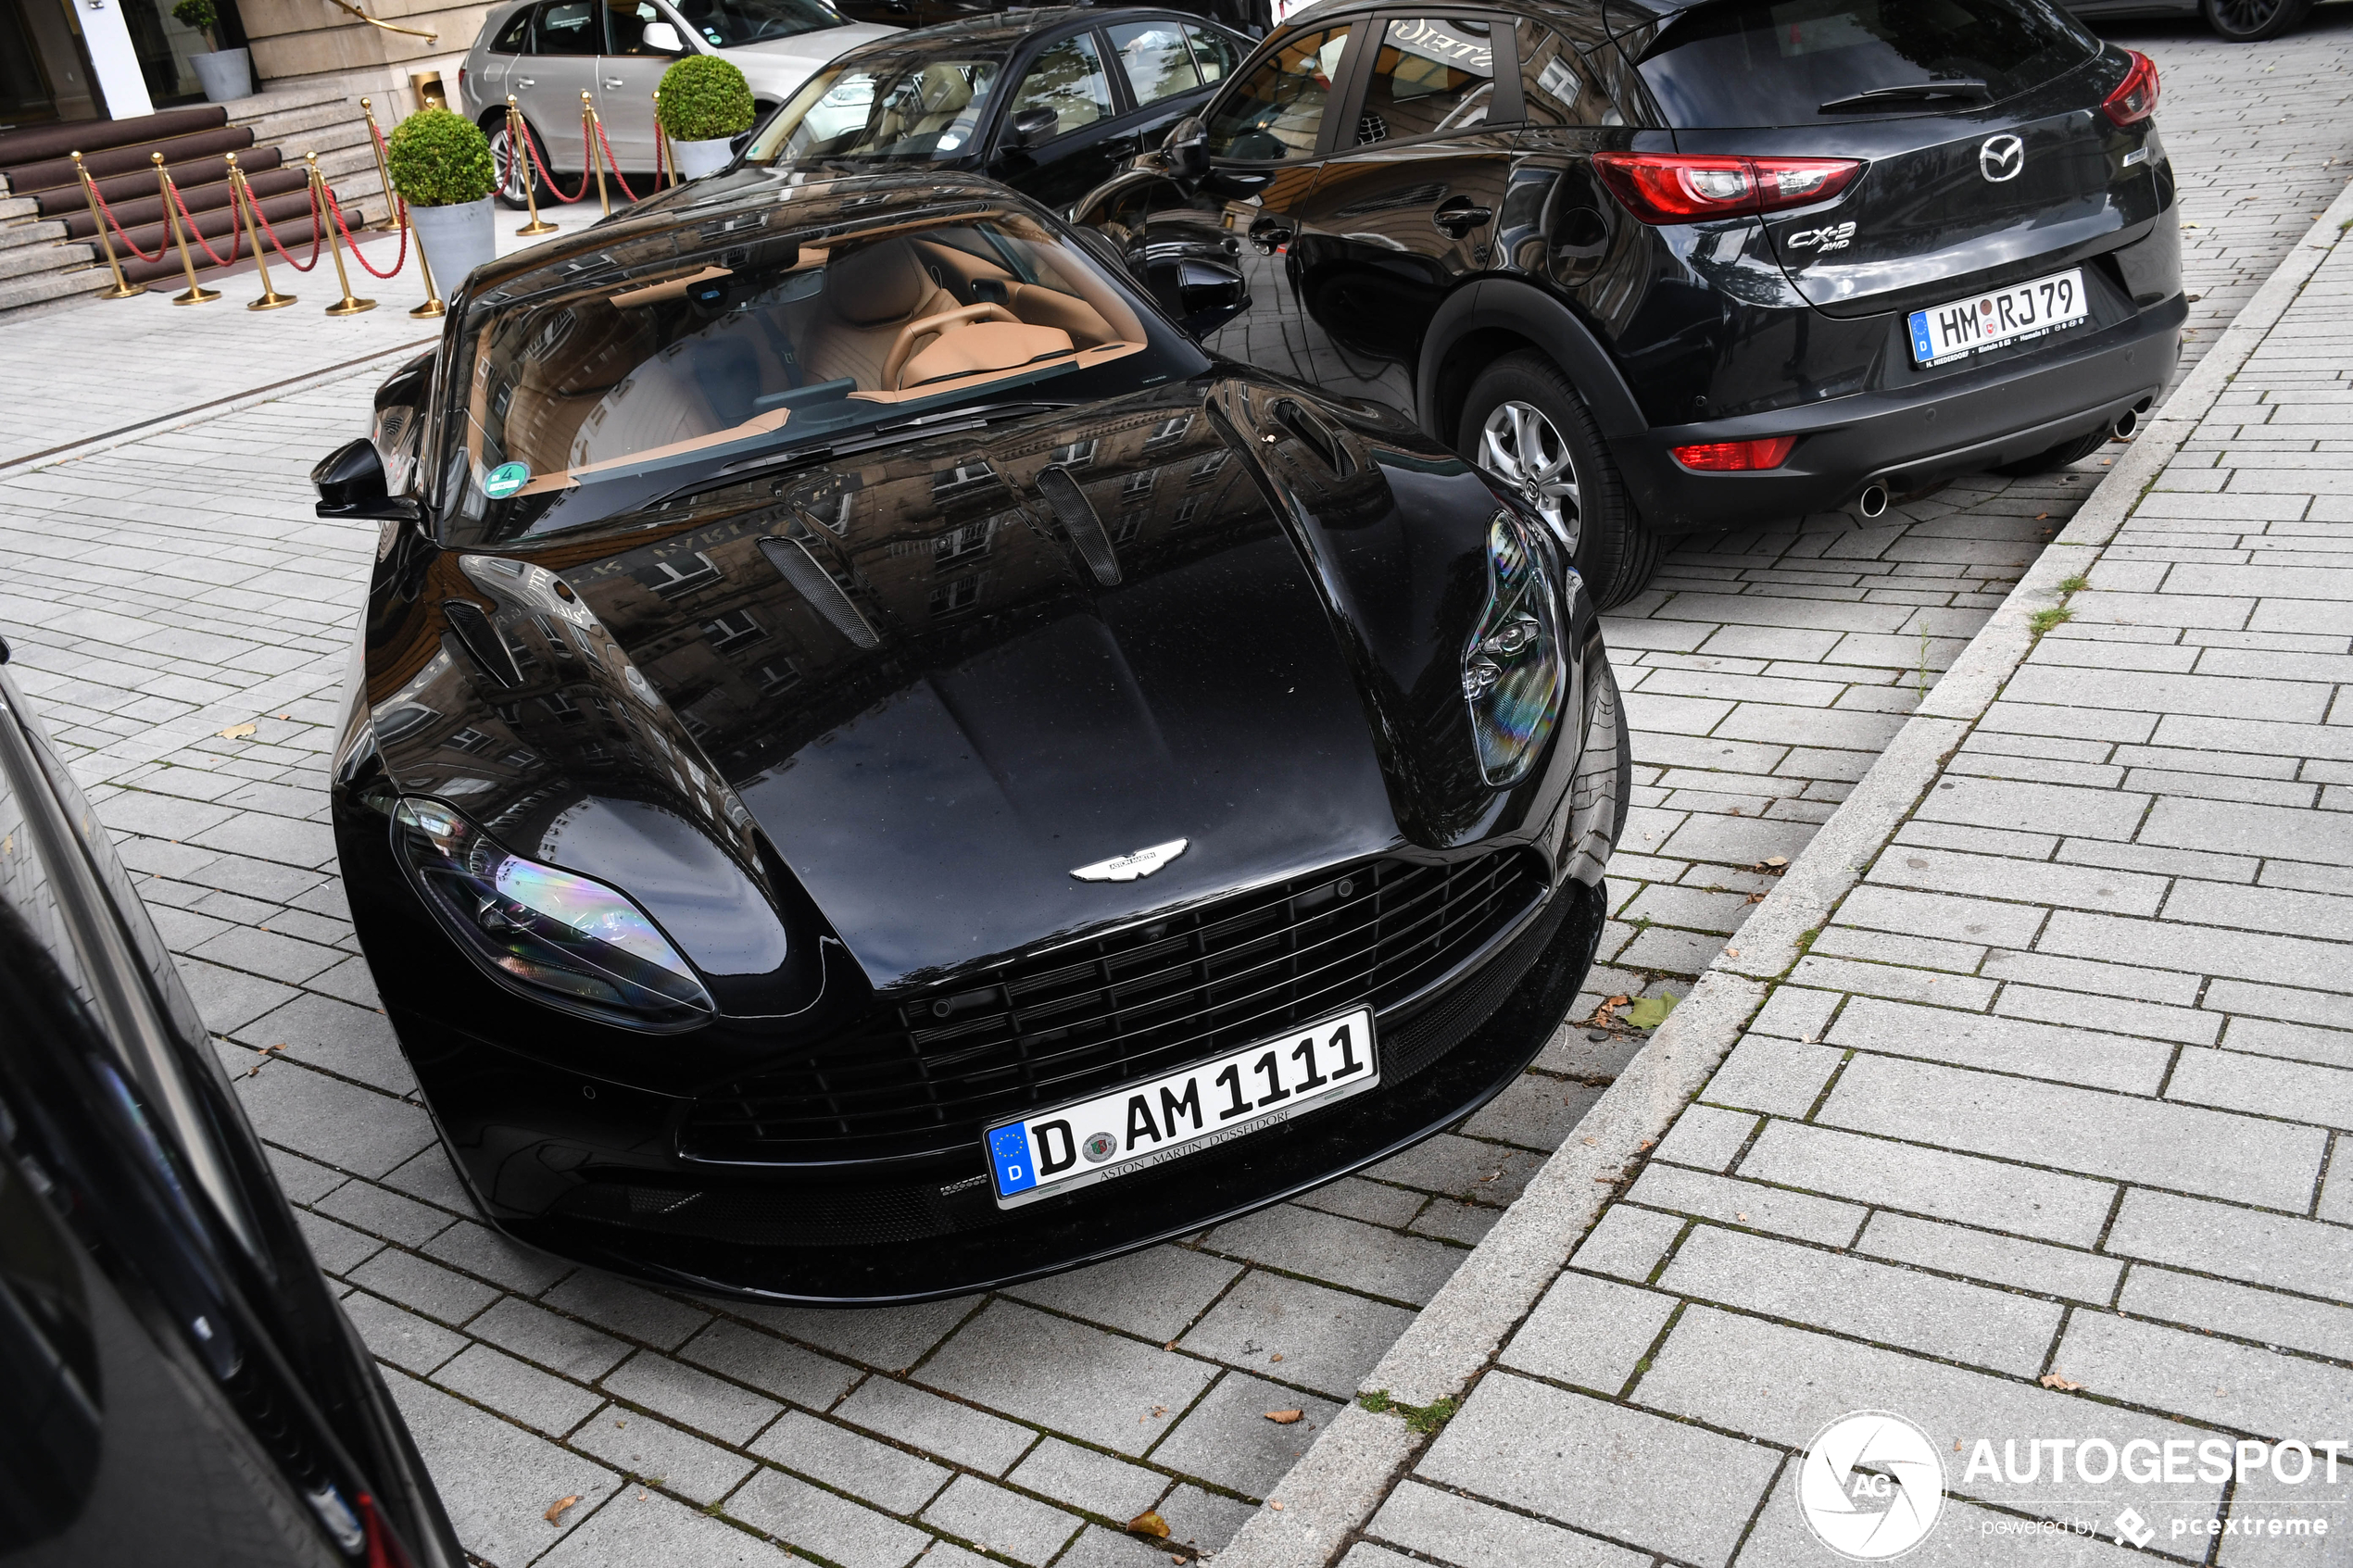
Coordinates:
580 1167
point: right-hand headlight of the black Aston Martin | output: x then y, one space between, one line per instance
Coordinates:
1514 671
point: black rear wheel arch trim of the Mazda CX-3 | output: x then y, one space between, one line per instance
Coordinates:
1500 316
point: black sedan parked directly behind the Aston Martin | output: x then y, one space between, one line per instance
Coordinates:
1048 102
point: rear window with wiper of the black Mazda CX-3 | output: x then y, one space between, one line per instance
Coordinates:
1782 62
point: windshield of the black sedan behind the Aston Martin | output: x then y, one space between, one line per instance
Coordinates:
902 107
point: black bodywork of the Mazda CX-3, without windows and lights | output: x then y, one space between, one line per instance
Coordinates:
1705 330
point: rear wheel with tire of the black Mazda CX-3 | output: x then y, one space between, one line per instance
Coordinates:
1575 483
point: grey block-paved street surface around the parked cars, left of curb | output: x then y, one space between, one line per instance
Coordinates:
175 587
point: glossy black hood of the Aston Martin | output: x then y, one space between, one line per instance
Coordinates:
1272 678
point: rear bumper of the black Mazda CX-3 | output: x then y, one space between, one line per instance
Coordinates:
1909 438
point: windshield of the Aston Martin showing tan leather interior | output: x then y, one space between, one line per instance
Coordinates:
632 373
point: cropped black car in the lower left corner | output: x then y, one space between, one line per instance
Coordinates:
178 1386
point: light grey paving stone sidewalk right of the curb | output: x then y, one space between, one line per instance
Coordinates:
2048 1134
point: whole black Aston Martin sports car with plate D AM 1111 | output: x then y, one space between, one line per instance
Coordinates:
886 770
